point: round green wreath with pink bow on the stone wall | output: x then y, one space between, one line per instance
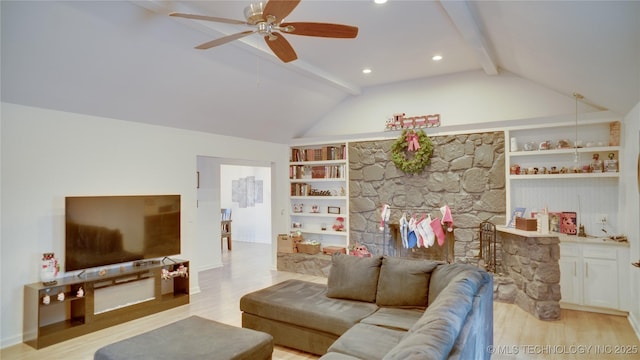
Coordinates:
421 158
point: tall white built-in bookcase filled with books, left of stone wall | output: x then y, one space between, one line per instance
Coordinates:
318 176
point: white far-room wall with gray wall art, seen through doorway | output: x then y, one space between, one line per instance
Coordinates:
250 224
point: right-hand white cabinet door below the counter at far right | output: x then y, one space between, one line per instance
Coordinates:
601 283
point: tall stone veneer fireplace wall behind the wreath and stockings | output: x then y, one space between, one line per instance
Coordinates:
466 173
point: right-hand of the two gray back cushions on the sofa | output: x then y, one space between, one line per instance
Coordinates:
404 282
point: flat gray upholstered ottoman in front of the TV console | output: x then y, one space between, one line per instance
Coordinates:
191 338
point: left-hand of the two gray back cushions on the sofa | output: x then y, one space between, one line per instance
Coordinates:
353 278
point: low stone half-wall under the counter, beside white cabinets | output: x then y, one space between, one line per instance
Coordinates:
532 264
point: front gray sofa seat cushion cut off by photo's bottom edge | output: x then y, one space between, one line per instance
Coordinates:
365 341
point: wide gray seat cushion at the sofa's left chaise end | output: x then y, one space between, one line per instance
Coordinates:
306 304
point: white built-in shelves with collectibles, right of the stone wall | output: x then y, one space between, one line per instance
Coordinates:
546 170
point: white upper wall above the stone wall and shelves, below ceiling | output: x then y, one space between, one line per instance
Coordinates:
467 100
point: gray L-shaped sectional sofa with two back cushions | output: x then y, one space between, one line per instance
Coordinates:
380 308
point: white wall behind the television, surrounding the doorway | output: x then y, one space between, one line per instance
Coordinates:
47 155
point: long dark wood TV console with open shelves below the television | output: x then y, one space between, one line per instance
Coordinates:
77 305
